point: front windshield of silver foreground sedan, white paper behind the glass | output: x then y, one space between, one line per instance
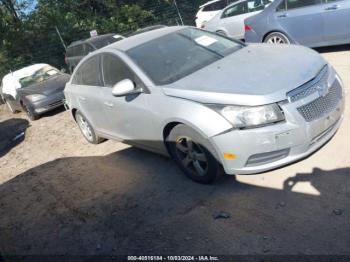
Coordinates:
181 53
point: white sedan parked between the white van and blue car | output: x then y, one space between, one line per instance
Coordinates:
230 21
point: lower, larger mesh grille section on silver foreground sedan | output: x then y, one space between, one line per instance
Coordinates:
322 105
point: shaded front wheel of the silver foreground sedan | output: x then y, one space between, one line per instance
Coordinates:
191 152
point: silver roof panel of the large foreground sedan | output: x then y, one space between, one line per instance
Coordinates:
136 40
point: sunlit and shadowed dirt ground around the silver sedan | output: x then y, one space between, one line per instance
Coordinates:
60 195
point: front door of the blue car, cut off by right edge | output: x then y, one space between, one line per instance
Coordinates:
336 14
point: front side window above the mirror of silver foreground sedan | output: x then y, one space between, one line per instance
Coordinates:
115 70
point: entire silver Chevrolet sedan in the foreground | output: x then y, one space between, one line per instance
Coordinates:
208 101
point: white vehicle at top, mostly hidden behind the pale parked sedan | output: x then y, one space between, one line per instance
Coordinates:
210 9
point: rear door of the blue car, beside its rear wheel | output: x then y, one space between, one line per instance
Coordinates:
302 20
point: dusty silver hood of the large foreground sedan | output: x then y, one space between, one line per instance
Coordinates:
255 75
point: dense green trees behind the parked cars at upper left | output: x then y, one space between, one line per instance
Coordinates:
27 38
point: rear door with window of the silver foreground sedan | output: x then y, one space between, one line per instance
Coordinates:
87 82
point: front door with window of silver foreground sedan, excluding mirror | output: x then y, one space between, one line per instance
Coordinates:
129 117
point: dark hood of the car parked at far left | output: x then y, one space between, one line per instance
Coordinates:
53 85
